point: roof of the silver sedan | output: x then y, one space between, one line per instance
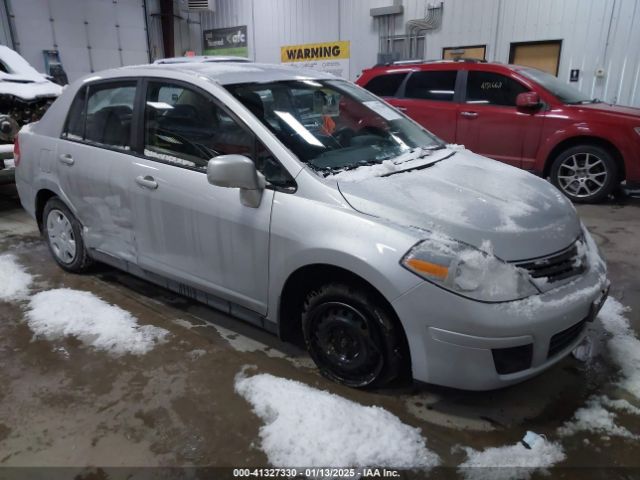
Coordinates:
222 72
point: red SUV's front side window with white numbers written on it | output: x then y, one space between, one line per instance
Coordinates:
492 89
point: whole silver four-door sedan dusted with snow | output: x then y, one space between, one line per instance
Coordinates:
304 204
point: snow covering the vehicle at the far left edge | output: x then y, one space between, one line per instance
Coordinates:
22 80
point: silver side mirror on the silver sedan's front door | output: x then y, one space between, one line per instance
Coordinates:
237 171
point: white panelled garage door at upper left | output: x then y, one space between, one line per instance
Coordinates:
90 35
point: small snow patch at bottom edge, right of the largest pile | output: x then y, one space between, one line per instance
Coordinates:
510 462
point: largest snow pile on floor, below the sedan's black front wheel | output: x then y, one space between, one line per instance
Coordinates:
309 427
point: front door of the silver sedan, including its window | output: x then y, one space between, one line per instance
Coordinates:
186 229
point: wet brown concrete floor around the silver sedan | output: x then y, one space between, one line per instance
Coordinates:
63 404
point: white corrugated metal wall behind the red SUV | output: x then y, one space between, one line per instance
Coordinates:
594 33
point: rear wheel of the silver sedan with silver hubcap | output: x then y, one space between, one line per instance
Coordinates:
63 233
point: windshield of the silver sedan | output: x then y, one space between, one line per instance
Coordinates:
334 125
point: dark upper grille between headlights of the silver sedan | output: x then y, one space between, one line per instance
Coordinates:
556 267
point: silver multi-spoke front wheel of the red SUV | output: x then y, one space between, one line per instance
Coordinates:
585 173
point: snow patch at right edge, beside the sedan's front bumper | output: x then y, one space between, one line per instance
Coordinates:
623 345
